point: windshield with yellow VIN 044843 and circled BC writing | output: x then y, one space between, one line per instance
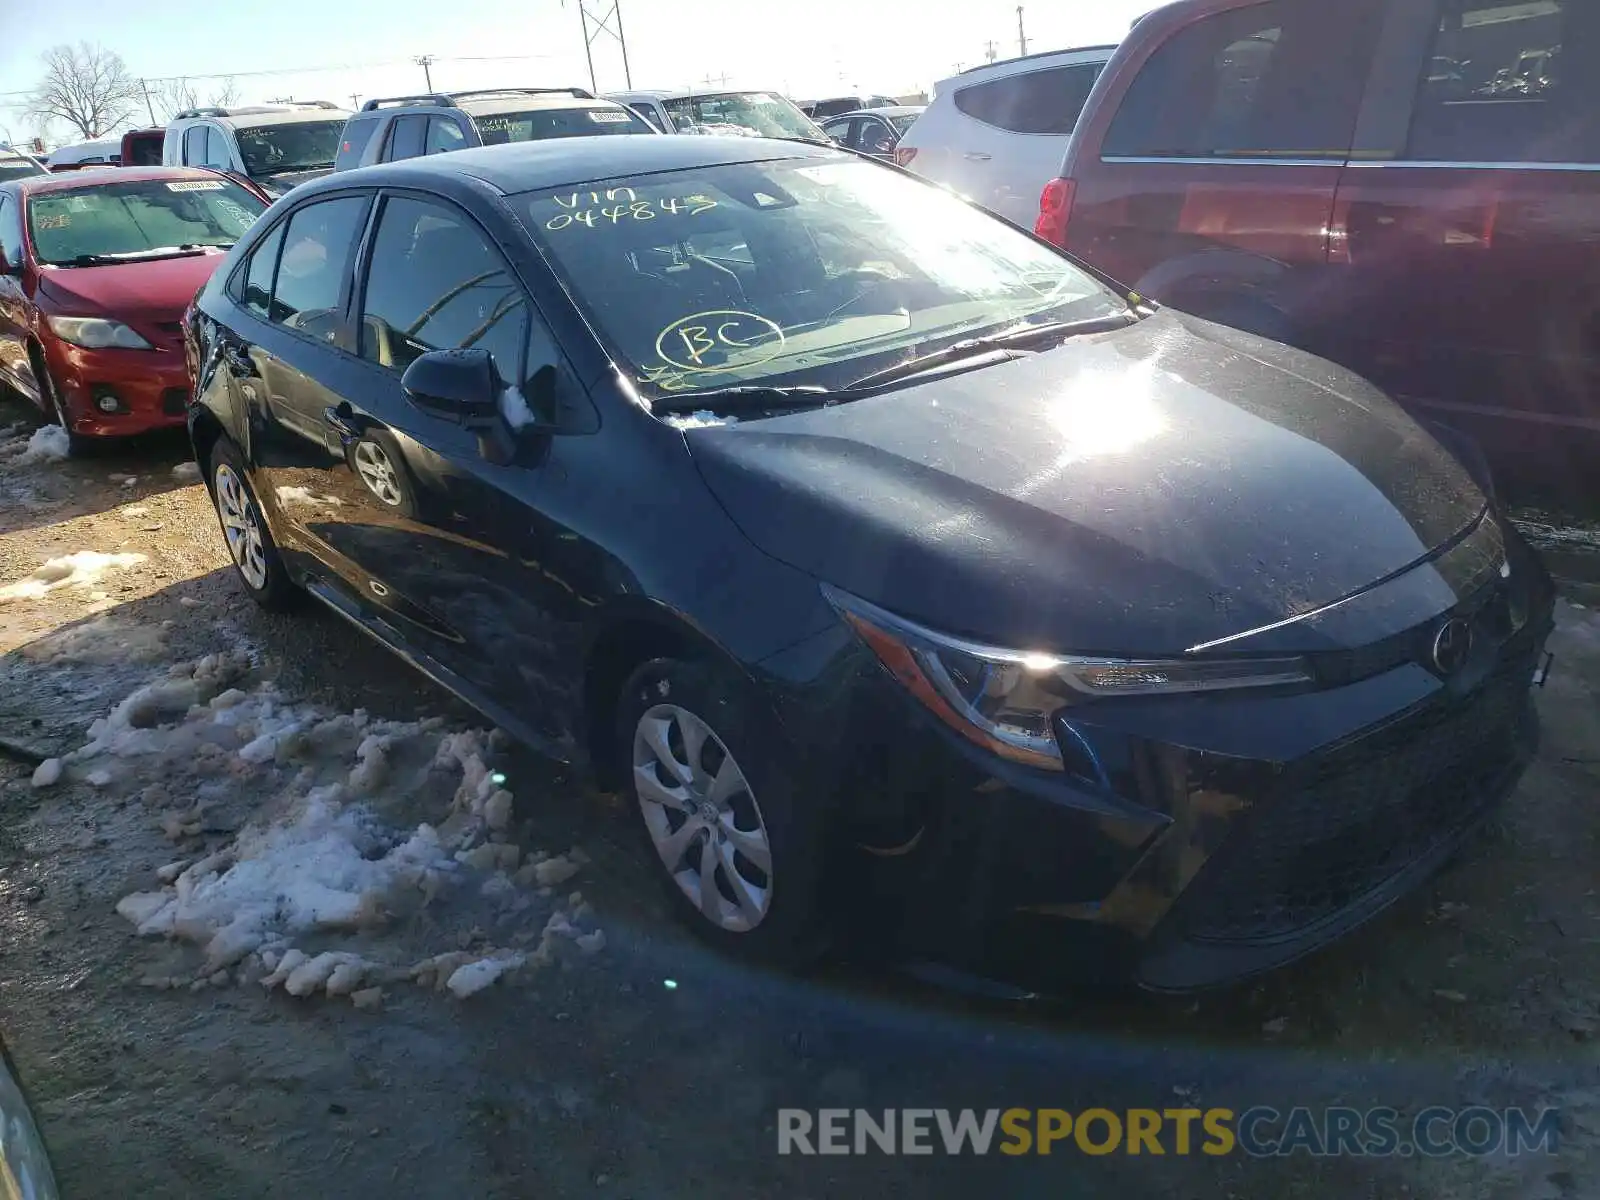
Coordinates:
802 271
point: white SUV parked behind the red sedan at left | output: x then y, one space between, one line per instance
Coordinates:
274 146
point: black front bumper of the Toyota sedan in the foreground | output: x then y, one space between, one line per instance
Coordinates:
1198 841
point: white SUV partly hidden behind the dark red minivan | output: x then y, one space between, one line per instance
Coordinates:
998 134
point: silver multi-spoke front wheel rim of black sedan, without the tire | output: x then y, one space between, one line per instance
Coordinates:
703 818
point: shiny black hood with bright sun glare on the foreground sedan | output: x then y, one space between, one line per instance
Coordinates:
1140 492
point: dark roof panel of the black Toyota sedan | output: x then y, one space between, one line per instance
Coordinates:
527 167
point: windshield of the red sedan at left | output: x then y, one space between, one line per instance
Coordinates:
138 220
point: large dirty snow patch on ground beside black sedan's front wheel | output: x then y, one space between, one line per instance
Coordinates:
319 868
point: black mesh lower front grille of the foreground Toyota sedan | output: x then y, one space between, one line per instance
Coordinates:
1361 815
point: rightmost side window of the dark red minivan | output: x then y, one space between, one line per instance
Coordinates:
1494 89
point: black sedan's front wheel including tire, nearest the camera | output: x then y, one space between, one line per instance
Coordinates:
722 812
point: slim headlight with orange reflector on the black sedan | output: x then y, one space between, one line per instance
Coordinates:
1006 700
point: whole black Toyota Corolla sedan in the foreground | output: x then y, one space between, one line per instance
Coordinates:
874 546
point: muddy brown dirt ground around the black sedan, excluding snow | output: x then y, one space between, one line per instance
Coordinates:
593 1076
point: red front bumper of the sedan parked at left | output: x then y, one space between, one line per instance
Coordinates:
151 388
